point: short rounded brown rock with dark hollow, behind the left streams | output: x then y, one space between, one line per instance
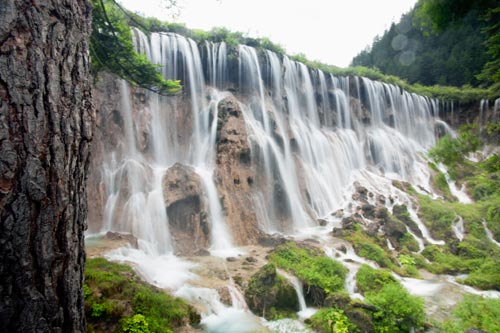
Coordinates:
186 209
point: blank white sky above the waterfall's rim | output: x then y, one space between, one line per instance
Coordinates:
331 31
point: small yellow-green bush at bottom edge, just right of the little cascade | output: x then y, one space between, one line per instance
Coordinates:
332 320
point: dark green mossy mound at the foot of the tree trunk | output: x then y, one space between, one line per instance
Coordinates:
113 293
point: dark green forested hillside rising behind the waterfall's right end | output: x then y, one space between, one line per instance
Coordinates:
438 42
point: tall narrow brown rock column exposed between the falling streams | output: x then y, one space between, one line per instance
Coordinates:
234 175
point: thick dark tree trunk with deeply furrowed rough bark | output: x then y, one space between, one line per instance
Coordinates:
45 129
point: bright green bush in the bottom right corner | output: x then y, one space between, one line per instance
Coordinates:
474 311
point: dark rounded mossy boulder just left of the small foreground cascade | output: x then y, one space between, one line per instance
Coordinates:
269 295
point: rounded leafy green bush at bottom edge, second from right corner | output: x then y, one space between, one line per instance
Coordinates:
397 310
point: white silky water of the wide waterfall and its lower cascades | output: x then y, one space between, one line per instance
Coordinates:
311 136
